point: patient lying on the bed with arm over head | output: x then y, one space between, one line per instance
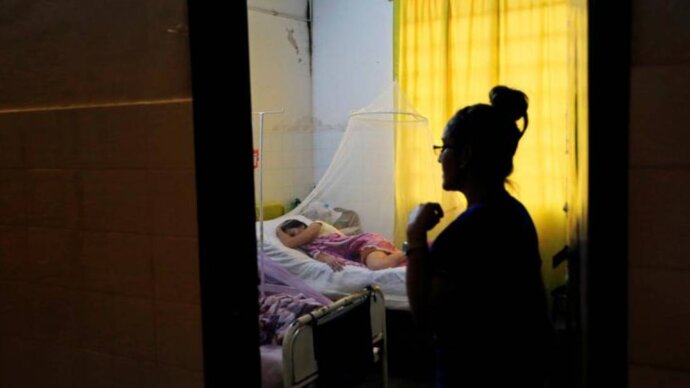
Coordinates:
326 243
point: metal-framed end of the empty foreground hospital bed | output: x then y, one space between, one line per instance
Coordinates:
335 345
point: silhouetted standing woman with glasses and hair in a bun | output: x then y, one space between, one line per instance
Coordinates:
478 287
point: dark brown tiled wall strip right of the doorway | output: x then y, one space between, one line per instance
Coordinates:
659 283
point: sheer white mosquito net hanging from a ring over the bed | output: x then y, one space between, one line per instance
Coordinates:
383 167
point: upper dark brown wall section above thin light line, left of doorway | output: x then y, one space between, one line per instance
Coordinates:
114 51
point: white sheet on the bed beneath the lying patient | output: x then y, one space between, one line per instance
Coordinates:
331 283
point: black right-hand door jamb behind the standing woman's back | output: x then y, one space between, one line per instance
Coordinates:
604 272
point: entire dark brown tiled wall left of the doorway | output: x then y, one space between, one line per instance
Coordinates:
99 281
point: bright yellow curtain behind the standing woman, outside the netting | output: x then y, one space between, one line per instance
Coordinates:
449 54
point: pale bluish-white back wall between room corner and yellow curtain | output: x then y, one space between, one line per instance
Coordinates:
343 82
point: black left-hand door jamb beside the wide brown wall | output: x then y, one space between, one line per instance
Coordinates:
225 192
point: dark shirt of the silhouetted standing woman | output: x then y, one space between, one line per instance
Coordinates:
490 316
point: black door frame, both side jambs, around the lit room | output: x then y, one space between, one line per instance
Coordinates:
223 148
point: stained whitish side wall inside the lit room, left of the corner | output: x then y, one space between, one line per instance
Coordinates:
280 77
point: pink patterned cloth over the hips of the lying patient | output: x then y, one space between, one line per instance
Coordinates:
348 247
